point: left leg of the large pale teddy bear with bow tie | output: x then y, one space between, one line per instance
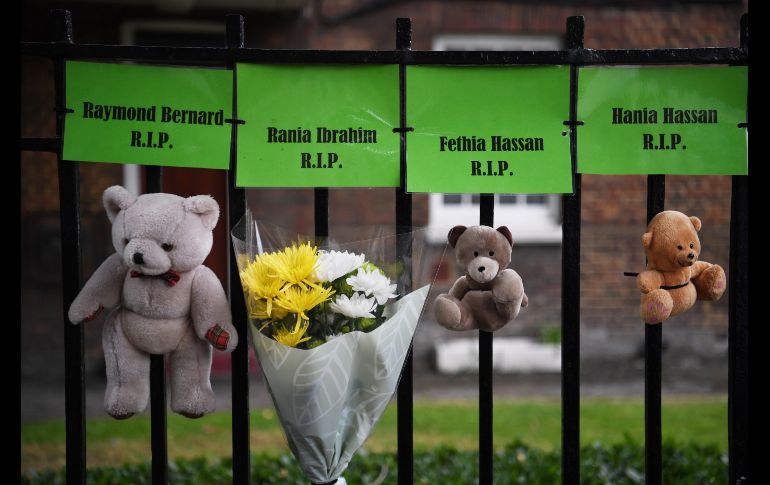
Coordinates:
128 371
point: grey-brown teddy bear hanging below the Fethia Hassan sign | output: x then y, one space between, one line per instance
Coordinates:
489 295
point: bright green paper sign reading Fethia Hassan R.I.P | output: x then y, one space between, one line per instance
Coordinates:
488 130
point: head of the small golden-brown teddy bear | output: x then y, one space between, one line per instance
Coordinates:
671 241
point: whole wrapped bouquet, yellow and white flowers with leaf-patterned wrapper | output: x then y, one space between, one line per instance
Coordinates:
331 324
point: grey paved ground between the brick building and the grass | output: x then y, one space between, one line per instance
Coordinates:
612 365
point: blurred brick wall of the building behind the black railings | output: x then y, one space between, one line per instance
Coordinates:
613 207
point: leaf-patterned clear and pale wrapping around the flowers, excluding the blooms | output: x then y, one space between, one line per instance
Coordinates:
328 398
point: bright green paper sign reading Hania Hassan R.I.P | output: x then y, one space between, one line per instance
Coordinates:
669 120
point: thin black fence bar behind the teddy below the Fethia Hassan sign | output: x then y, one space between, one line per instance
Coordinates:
486 402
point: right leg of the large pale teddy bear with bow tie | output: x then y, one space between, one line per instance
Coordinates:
191 393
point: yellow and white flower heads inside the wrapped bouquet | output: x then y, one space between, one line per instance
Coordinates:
306 296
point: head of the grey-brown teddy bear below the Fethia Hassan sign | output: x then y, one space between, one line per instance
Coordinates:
481 250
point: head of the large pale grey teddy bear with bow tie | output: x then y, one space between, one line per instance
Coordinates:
155 233
